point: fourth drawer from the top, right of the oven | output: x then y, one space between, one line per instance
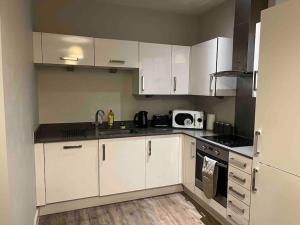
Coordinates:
237 208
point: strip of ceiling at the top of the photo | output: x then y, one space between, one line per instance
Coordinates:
191 7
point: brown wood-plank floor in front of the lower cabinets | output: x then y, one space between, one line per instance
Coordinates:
172 209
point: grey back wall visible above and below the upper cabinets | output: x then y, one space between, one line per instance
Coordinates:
57 87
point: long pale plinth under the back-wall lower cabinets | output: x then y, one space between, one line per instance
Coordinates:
105 200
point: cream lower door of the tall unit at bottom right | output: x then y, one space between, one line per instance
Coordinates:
277 200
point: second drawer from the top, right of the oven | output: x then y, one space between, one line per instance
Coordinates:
239 177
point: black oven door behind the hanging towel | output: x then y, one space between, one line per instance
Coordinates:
221 196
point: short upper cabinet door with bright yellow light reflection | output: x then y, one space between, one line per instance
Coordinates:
68 50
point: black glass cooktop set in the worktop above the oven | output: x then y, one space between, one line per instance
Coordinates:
230 140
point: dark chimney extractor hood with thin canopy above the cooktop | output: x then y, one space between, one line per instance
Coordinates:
247 14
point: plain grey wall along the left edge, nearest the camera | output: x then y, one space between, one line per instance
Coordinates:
19 108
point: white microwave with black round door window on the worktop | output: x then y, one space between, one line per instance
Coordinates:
188 119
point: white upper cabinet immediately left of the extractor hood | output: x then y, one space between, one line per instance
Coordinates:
207 58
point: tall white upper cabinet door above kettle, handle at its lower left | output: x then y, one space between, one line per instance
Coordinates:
155 69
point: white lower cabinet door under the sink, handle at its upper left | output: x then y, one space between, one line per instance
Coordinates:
122 165
